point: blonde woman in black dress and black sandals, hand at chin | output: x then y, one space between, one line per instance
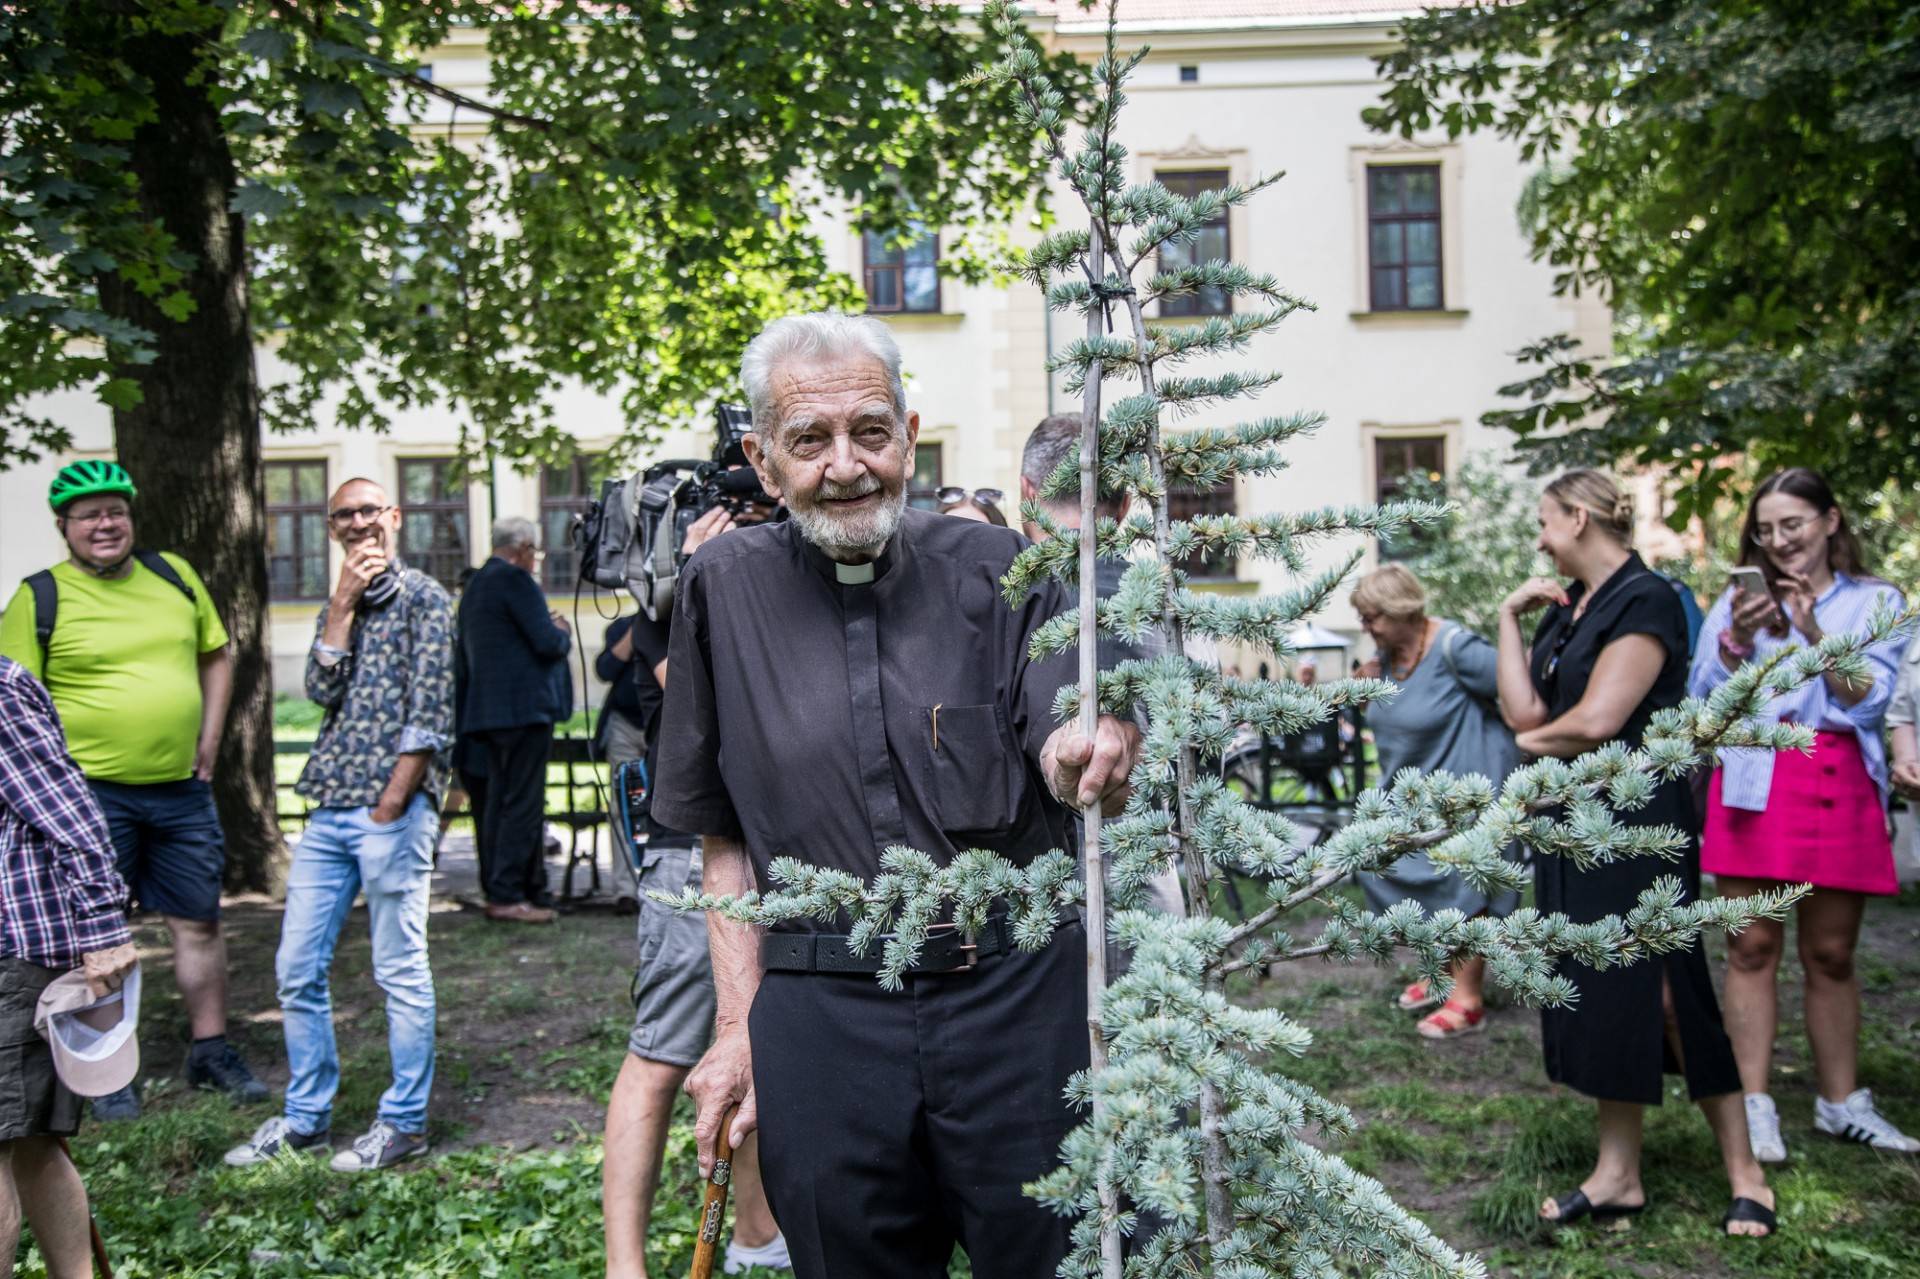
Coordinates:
1610 652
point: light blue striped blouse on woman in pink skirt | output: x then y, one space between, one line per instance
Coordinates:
1846 608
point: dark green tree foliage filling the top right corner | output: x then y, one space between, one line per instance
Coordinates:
1735 180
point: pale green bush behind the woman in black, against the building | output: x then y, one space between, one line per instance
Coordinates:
1481 548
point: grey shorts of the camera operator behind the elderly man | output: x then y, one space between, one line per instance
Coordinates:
673 984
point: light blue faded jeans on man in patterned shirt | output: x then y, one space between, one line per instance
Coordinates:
343 854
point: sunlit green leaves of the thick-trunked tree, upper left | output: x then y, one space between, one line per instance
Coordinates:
621 208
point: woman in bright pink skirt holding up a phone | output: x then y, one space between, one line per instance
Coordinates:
1804 819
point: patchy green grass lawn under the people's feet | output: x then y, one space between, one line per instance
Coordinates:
533 1028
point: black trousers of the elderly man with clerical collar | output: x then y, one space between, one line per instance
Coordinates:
896 1126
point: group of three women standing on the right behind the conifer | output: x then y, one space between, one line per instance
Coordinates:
1612 648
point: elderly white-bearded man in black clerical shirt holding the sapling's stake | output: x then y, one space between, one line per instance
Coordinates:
846 683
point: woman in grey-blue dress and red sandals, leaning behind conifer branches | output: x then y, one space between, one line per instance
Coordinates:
1445 719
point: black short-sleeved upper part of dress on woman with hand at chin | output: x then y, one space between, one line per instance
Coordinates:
1633 602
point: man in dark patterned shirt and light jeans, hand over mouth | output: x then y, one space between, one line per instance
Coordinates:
383 669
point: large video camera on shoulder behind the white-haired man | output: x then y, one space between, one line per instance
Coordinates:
636 533
